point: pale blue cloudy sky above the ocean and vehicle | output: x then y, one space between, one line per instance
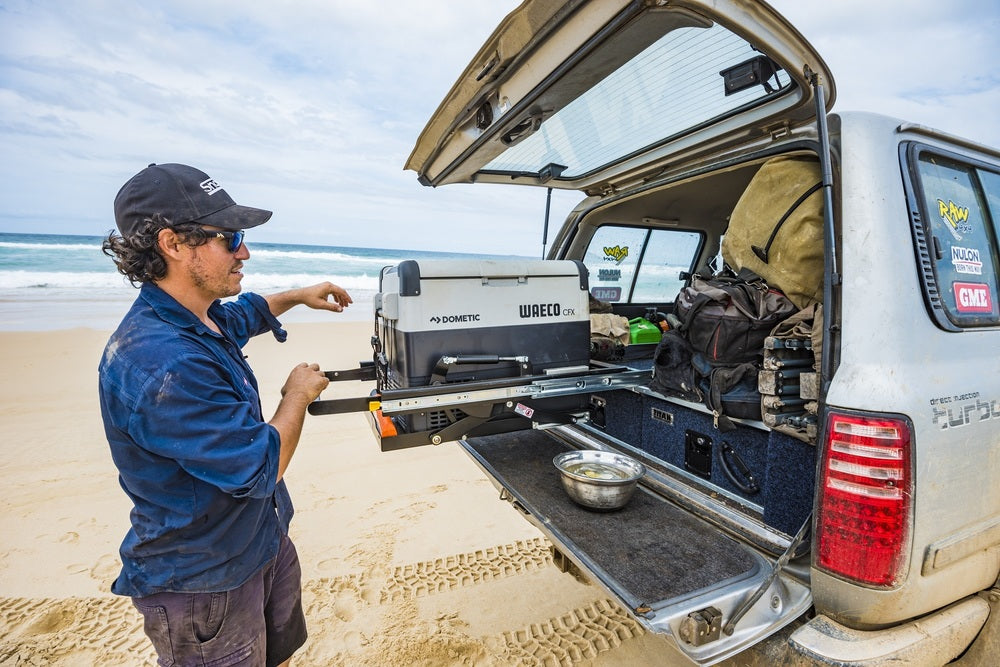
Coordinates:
310 108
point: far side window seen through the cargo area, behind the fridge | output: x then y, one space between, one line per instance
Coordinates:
639 265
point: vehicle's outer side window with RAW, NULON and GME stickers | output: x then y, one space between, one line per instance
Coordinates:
960 205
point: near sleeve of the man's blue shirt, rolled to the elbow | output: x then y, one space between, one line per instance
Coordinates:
190 412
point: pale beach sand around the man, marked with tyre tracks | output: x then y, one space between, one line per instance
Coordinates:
408 557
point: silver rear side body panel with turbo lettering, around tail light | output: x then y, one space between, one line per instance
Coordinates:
894 359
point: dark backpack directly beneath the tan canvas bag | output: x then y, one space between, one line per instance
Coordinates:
727 317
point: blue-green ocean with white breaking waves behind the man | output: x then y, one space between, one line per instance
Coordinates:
56 281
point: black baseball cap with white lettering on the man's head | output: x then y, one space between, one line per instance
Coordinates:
181 194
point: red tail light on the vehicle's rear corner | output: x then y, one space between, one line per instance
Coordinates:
863 521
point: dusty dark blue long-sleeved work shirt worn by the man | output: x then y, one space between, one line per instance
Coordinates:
183 417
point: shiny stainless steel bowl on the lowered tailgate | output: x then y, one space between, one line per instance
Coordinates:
599 480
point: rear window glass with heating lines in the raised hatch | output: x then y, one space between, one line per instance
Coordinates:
676 84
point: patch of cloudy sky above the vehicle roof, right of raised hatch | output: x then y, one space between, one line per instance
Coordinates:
926 62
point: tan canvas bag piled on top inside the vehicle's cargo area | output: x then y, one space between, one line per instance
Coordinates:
776 228
